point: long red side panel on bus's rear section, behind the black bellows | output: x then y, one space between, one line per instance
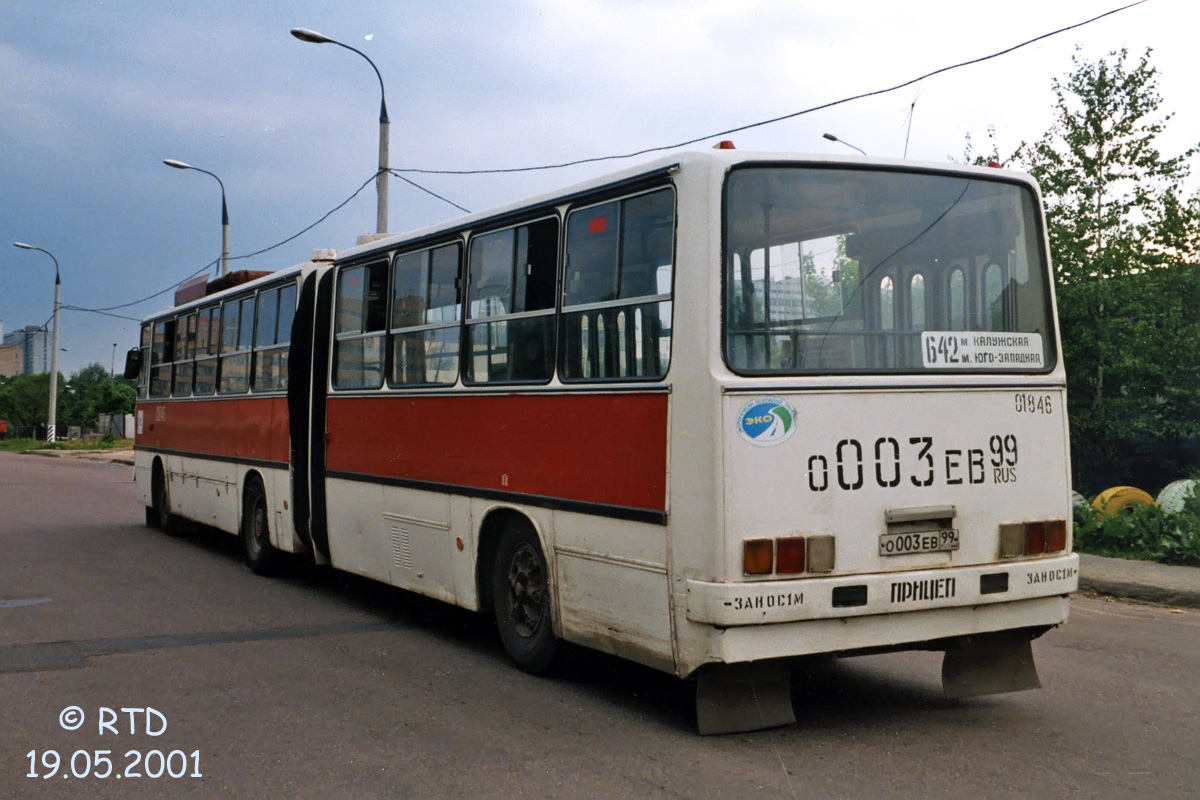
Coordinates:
607 449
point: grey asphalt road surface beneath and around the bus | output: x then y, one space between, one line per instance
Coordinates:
317 685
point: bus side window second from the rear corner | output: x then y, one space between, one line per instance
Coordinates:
511 327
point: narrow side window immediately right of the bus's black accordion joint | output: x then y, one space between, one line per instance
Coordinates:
362 320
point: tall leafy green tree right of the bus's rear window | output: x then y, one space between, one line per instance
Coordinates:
1125 243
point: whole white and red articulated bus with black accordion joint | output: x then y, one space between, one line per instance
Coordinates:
711 414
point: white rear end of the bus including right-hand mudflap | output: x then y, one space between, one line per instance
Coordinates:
893 430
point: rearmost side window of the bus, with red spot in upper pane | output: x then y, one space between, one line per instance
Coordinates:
617 290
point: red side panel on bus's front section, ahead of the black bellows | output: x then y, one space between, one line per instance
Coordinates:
255 429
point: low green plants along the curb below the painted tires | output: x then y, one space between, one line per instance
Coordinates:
1142 533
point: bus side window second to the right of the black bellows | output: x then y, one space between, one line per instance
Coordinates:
425 309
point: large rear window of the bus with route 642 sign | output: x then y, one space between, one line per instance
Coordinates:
871 272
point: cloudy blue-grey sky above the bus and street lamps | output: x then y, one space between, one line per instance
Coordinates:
94 97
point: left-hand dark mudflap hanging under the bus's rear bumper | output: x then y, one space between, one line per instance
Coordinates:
733 699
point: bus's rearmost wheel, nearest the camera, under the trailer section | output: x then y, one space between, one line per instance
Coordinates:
521 599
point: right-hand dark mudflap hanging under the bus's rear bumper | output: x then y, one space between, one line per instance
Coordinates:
991 664
